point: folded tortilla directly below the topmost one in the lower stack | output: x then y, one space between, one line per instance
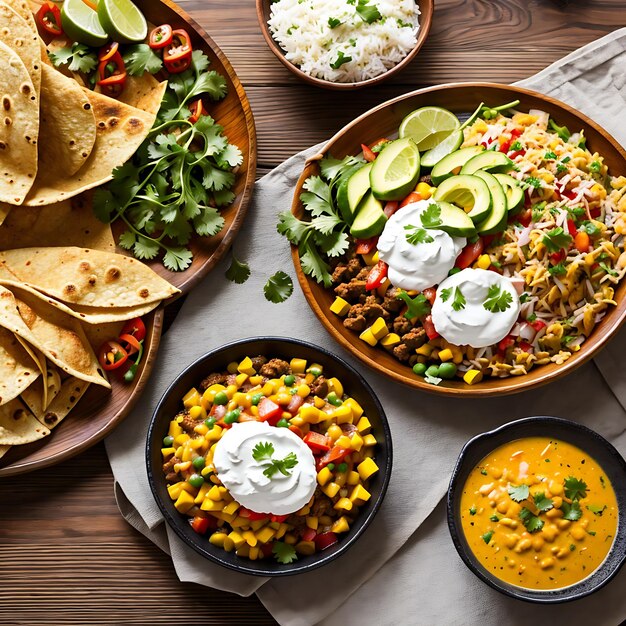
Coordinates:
60 337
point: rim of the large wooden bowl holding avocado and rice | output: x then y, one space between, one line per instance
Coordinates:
513 384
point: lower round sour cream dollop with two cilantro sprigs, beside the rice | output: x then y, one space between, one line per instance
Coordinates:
473 324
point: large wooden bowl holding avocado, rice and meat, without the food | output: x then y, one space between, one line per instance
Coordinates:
384 121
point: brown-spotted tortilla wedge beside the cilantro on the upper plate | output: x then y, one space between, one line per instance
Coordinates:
120 130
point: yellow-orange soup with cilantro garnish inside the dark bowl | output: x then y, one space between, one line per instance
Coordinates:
539 513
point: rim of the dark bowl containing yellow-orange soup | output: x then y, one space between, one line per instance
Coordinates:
522 593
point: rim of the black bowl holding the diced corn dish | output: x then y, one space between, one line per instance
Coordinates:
297 568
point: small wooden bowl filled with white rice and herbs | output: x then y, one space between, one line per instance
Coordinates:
345 44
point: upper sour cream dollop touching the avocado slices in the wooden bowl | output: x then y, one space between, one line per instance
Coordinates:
422 265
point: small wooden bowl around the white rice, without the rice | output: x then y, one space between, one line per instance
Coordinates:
263 10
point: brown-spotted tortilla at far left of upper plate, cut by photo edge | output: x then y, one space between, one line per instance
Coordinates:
18 130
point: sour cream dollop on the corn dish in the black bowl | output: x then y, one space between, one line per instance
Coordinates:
243 476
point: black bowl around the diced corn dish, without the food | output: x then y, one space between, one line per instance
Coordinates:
216 361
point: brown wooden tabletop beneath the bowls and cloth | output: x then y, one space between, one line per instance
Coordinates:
66 555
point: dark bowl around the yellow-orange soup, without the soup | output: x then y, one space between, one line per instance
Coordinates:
586 439
